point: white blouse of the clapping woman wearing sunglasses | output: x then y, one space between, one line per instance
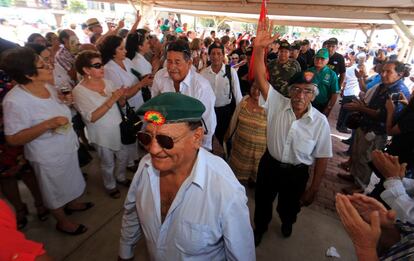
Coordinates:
104 132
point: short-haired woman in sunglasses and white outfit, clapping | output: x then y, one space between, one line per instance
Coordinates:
96 98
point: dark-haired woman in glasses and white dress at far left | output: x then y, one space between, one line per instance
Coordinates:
34 116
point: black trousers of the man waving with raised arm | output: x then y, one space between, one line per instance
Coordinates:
272 179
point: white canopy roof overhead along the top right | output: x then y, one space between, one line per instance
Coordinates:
368 15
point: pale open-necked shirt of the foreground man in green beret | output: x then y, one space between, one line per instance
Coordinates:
208 219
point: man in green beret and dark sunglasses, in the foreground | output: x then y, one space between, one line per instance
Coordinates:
185 201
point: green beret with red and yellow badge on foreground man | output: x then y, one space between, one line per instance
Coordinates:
171 107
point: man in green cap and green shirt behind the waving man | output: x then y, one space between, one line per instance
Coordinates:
327 82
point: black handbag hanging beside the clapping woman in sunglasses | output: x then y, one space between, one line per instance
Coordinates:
130 125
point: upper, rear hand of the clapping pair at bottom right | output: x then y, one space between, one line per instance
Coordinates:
366 205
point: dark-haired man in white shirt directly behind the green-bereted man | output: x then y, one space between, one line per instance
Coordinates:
179 77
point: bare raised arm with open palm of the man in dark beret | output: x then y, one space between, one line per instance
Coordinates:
263 39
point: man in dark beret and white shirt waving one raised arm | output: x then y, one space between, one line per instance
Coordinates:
298 136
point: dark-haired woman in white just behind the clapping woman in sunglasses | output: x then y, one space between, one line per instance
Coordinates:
118 70
